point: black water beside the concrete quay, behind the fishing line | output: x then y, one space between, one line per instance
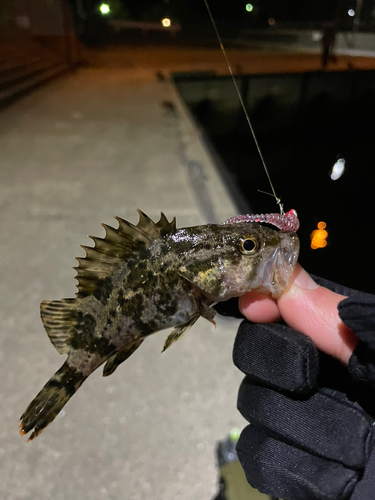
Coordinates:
304 123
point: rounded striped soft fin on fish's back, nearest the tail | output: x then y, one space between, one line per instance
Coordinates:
59 318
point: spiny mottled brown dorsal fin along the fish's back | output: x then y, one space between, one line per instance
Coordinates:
101 261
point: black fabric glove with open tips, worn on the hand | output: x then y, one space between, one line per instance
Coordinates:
311 434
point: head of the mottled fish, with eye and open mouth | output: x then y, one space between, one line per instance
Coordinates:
230 260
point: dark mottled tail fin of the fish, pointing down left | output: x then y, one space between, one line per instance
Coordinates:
51 399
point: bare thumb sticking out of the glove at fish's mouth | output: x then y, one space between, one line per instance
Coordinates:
312 309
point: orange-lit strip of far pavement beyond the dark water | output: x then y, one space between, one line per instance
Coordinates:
251 59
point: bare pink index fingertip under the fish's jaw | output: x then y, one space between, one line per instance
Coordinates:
259 308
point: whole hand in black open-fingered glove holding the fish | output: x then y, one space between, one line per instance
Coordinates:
311 434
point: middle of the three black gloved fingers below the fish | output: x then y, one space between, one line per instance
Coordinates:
345 437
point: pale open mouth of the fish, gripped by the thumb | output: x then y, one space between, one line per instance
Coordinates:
280 265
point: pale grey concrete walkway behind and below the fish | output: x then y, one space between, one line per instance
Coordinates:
73 154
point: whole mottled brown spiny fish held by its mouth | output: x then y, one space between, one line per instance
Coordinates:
143 278
